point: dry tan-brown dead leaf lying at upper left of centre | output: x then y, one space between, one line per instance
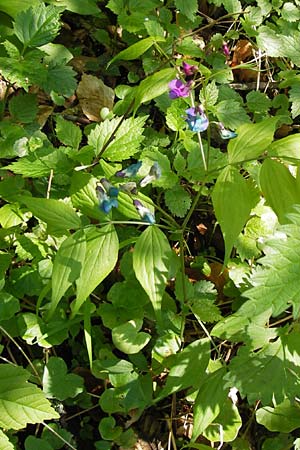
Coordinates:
93 95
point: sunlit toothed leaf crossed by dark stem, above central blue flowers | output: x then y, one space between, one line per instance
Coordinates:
126 140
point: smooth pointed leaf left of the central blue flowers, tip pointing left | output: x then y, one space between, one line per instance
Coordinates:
58 216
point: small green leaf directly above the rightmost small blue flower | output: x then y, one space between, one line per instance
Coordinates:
231 113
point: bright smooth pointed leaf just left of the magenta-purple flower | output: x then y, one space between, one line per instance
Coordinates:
153 86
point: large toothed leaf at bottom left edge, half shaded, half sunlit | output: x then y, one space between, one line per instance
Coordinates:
21 402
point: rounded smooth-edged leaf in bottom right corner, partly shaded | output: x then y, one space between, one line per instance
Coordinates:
285 417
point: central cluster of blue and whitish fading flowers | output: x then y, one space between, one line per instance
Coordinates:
108 193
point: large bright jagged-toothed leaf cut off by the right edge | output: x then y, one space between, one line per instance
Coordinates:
277 281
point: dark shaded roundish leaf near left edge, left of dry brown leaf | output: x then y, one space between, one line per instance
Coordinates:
23 108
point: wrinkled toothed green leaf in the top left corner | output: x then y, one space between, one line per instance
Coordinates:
37 26
